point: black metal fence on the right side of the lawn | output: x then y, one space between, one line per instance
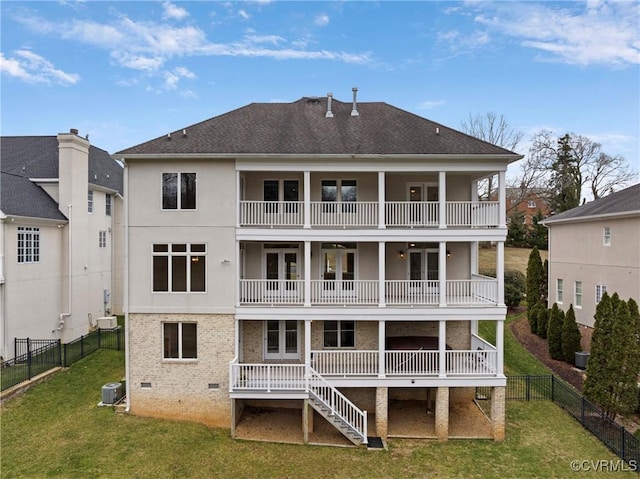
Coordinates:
592 418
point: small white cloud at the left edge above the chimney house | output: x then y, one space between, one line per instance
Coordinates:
33 68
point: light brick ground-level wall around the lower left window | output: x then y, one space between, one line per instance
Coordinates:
194 390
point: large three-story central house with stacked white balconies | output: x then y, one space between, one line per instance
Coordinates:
317 255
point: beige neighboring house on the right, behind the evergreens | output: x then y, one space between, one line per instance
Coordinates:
592 249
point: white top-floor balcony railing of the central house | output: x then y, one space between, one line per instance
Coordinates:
364 214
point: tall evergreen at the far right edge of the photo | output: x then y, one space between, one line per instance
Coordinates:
624 361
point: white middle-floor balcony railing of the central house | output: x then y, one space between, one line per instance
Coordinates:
479 291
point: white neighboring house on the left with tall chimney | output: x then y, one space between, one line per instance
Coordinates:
61 232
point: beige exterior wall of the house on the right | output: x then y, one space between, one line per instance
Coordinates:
577 253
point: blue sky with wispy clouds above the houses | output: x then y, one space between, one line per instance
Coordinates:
127 72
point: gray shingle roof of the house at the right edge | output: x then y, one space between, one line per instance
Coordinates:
620 202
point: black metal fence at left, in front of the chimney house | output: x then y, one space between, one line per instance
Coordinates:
39 355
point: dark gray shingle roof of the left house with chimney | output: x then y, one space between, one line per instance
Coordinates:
24 157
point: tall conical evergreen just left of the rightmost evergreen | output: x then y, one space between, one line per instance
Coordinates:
597 386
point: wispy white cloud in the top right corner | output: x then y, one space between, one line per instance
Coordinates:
576 33
